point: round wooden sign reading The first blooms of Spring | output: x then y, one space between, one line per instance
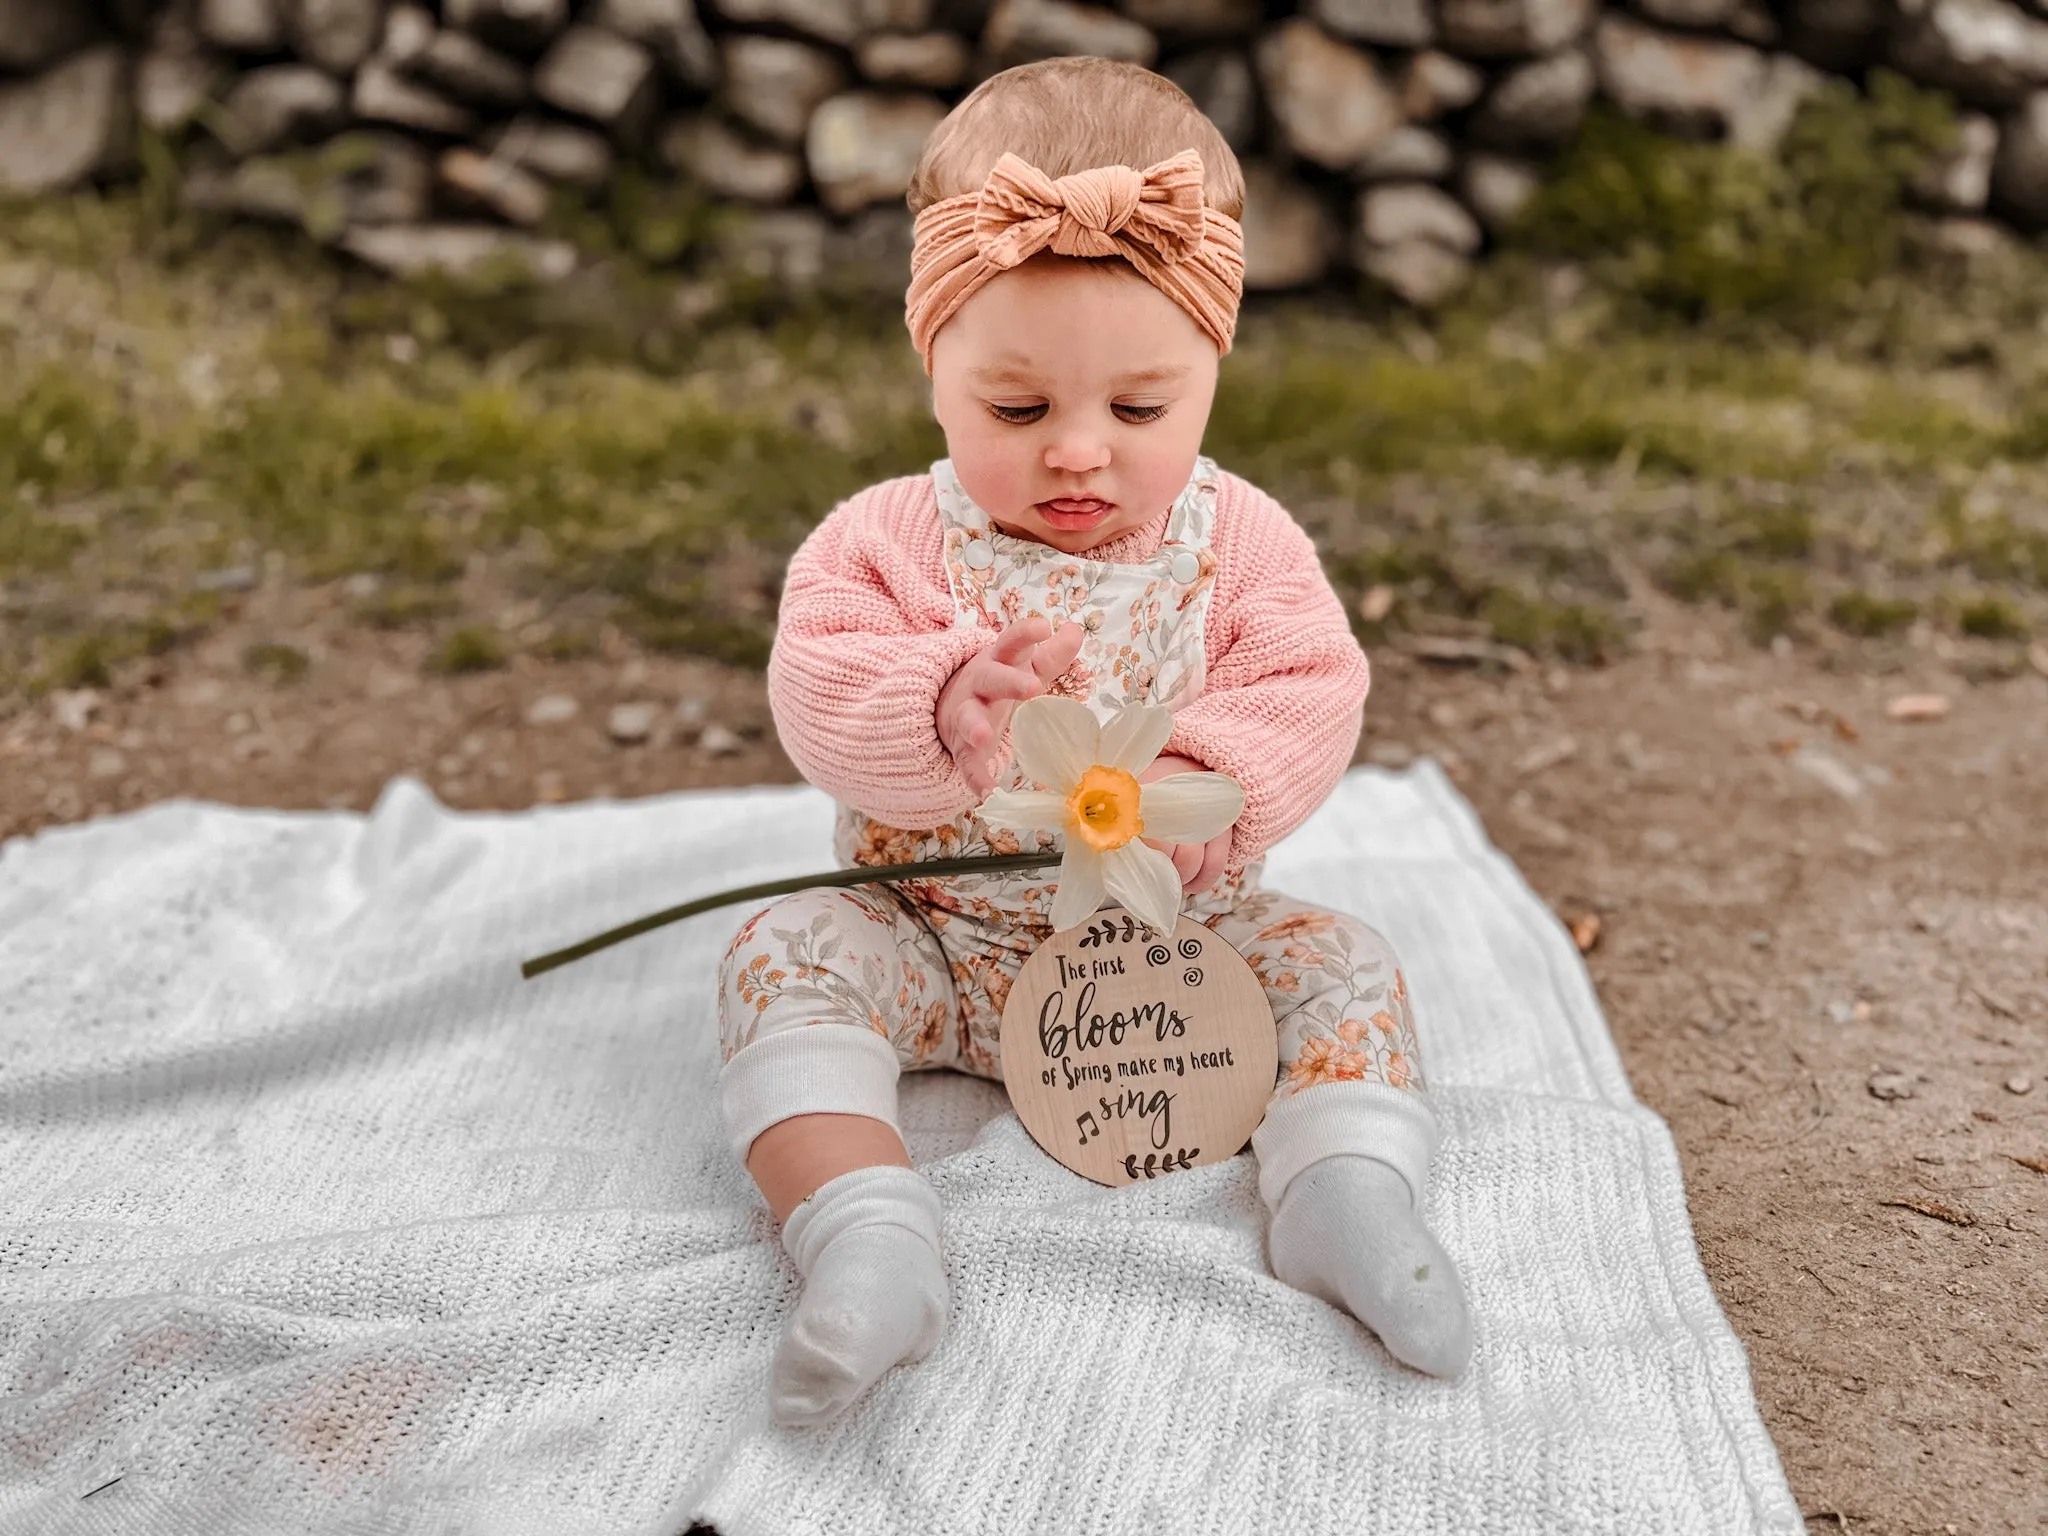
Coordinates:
1129 1056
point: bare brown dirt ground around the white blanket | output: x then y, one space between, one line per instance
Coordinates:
1822 943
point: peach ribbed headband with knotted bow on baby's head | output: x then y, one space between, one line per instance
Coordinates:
1156 220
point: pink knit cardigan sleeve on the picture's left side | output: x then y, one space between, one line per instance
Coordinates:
863 648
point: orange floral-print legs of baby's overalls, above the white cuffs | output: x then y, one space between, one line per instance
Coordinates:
933 982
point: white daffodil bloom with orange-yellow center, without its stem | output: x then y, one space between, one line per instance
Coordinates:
1093 796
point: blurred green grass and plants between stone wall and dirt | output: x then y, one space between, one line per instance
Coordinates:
1756 384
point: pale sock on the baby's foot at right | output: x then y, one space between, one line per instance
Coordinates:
1349 1232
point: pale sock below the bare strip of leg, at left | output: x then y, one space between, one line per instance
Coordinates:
876 1289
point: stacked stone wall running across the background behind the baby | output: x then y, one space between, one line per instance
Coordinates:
1392 138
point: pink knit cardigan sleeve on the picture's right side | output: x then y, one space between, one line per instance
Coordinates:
1287 683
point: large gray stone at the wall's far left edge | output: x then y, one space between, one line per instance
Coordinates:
69 124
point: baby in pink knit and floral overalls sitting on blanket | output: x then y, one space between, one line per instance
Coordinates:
1074 284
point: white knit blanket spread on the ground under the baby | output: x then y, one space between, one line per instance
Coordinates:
316 1220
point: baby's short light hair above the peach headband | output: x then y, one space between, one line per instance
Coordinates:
1068 116
